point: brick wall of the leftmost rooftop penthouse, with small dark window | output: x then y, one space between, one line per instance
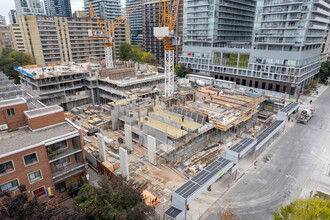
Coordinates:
18 120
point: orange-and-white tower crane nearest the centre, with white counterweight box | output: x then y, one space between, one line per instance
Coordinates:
168 10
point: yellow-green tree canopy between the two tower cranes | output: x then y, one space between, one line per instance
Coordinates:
135 53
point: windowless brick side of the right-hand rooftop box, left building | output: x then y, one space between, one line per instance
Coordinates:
46 120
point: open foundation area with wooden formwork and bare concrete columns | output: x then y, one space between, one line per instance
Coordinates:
165 141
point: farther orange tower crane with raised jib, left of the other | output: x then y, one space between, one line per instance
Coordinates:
100 32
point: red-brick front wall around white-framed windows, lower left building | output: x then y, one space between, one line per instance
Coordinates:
21 171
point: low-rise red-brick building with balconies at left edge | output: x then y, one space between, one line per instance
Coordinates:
42 149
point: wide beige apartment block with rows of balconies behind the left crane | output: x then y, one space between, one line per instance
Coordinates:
60 39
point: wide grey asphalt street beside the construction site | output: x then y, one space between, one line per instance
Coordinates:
302 151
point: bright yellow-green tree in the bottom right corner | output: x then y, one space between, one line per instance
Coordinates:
313 208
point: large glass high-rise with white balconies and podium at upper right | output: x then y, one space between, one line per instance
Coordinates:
275 47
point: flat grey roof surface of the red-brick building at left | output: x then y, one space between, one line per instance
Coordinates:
11 142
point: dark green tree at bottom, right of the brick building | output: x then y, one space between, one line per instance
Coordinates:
114 199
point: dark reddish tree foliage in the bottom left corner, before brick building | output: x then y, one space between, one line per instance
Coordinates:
20 207
